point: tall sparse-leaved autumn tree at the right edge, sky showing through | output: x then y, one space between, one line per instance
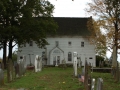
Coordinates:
108 14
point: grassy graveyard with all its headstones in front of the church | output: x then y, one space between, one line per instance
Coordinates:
74 77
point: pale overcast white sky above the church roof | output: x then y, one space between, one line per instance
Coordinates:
68 8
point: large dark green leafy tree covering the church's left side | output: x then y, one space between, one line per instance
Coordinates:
24 20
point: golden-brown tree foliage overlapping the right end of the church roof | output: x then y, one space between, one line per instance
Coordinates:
97 37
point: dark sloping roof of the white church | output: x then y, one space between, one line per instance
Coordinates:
71 26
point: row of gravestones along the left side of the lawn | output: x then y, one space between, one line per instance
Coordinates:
18 69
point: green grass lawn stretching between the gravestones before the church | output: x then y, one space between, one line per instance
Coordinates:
55 78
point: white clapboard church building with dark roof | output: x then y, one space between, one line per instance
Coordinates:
72 36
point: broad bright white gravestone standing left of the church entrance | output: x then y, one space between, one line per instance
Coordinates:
38 63
